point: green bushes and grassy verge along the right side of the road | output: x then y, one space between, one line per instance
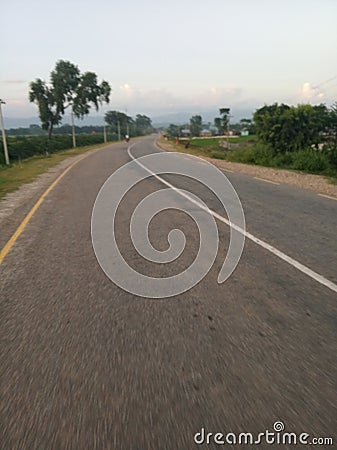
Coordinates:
302 138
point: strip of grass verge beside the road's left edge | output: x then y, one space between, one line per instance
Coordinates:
15 175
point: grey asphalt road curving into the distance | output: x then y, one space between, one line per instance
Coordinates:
86 365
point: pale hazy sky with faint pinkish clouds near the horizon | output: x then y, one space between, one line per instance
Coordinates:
163 57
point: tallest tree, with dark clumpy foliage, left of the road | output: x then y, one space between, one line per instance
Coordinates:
67 88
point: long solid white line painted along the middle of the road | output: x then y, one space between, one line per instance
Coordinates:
301 267
